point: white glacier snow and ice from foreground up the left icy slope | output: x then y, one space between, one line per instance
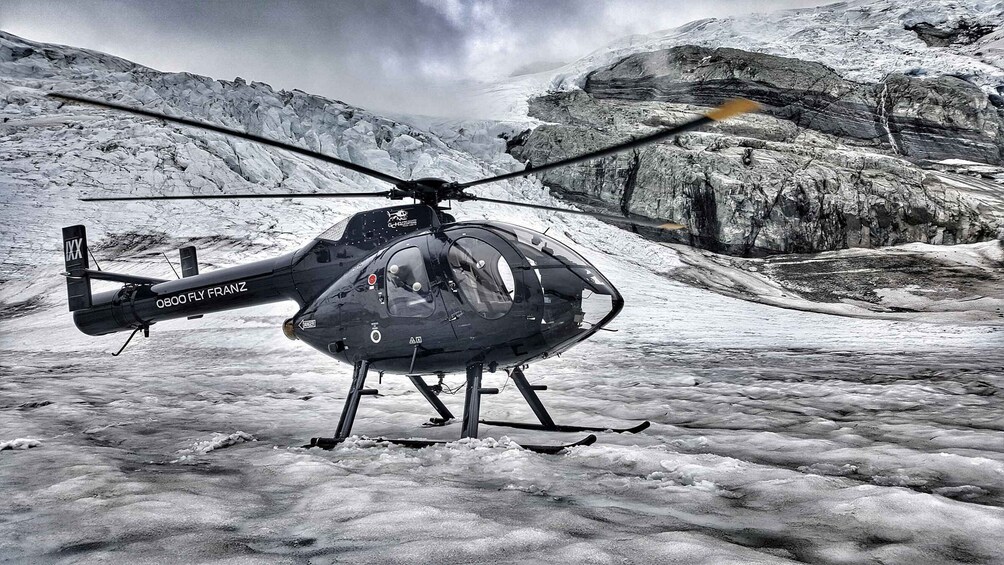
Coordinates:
778 435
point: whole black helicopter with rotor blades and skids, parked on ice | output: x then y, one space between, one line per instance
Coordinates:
405 290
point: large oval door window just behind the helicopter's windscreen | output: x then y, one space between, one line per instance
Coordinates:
483 276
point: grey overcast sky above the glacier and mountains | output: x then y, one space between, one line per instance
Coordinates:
393 56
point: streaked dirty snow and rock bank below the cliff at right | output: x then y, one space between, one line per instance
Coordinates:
931 284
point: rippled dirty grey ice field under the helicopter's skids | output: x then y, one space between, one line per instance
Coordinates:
778 436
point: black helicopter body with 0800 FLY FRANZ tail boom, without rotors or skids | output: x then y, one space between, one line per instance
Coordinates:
402 290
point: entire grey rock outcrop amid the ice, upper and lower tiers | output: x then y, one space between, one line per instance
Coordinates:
833 165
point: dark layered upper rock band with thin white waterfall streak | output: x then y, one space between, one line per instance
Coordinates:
936 119
